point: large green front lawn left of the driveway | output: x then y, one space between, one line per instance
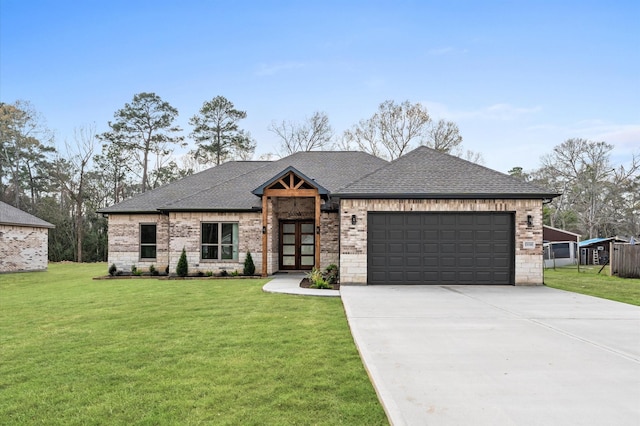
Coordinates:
150 352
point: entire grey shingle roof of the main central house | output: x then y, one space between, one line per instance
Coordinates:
422 173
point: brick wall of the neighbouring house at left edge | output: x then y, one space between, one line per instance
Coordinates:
23 248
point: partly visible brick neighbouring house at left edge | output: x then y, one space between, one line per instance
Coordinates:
24 240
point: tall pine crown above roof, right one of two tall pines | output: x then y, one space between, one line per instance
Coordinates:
217 134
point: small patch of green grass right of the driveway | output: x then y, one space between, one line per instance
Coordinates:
588 281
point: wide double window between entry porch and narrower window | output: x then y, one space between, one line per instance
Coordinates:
219 241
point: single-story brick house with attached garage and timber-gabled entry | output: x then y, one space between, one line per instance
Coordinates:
425 218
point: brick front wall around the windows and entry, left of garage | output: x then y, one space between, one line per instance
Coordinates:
184 228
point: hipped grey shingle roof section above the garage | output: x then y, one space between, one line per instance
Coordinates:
426 173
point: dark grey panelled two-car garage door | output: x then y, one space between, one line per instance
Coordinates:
440 248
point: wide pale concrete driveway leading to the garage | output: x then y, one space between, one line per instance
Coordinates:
503 355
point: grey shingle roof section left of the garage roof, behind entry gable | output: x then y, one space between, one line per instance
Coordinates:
230 185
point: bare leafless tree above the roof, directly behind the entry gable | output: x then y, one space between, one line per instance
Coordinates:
314 133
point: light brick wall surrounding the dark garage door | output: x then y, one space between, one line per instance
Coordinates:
353 238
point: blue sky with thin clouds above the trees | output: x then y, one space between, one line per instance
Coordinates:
518 77
